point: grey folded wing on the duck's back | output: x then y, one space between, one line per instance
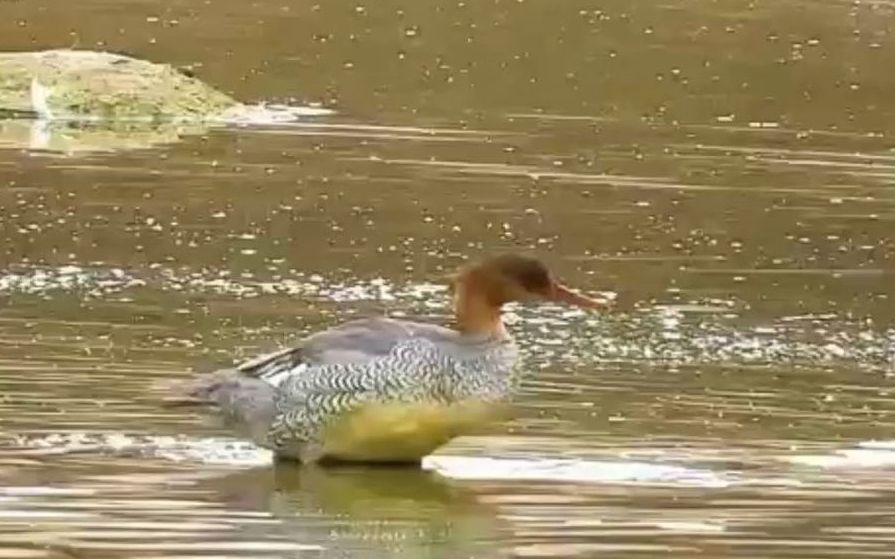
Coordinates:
356 341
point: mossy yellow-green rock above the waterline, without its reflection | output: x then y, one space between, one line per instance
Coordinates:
90 85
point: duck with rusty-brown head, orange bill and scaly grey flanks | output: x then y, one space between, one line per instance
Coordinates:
384 390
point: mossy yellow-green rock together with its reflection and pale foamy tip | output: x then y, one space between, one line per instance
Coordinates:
79 101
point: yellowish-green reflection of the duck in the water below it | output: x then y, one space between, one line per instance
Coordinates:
369 512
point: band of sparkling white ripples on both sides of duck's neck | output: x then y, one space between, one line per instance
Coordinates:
703 330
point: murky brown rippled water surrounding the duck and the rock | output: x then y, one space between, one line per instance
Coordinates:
727 167
